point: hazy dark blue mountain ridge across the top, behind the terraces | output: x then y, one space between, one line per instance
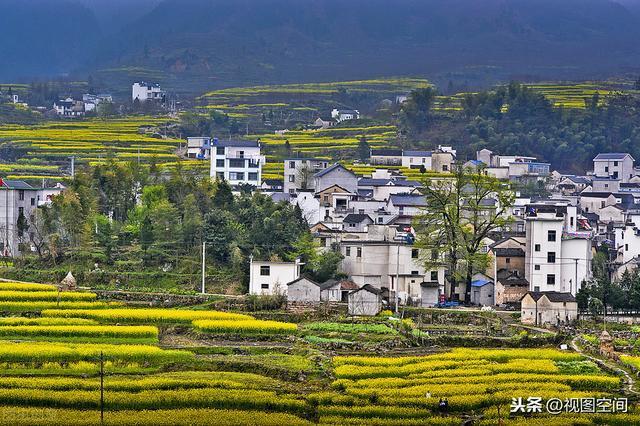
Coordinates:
220 43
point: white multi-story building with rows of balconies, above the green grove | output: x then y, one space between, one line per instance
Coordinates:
238 162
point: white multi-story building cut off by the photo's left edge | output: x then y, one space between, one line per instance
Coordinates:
18 198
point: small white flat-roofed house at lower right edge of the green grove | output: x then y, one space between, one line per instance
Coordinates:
269 278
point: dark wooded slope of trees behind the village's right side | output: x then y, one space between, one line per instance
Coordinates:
517 120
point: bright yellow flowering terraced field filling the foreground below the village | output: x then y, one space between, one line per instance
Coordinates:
46 379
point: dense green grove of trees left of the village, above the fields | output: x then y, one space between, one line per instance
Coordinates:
123 213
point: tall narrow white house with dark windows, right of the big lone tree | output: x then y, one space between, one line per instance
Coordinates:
558 251
